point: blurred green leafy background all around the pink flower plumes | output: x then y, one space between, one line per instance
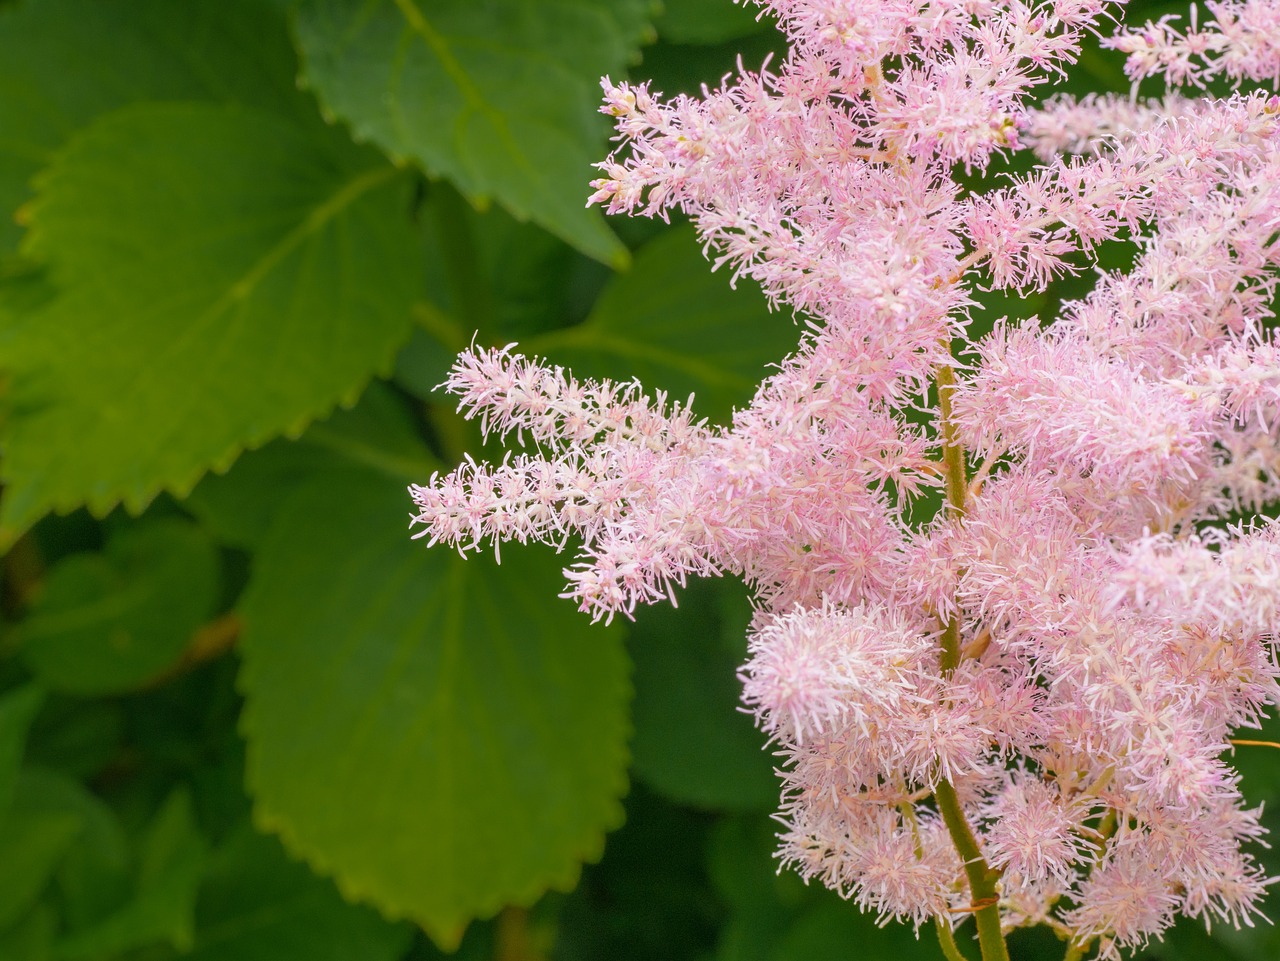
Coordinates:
243 715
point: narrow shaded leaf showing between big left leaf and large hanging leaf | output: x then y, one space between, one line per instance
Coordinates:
378 433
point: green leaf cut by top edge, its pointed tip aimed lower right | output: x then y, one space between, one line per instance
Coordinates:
500 98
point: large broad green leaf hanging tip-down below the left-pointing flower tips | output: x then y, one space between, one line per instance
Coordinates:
437 734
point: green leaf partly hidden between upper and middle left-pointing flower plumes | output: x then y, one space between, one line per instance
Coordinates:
676 327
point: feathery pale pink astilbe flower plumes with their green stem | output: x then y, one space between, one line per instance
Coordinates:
1021 710
